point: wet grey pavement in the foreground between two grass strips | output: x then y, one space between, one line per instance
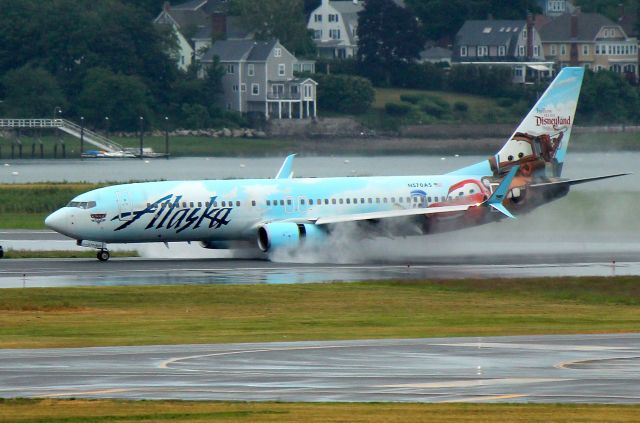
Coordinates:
573 369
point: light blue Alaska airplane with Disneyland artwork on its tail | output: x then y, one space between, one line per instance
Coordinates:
292 213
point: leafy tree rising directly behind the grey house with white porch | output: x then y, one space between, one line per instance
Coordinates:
281 19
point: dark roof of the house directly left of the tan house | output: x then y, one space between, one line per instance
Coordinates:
489 32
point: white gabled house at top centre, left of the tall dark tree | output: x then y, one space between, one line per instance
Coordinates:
334 25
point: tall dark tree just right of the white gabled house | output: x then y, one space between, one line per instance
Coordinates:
388 35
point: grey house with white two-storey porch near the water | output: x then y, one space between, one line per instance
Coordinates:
259 78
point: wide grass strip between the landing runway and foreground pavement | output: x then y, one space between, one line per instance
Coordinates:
134 315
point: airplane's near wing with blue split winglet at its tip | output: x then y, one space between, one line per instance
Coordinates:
494 201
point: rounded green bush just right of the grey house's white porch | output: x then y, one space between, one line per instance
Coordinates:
344 93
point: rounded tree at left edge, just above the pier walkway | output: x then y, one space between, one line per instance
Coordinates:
31 92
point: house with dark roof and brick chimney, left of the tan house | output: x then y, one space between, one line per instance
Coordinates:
513 43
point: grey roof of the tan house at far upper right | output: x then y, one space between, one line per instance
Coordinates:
589 24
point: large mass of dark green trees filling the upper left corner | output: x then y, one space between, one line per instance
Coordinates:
96 58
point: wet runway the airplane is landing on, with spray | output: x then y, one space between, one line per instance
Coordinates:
180 264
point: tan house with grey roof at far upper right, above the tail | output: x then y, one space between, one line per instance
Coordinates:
590 40
